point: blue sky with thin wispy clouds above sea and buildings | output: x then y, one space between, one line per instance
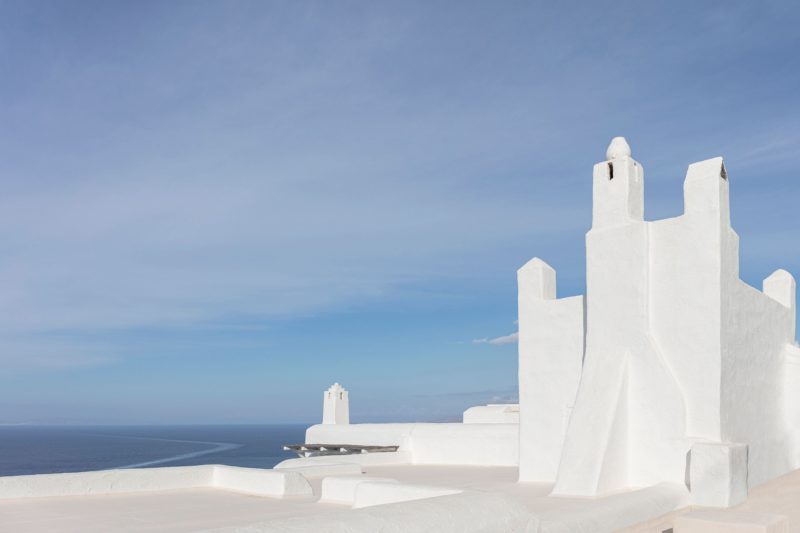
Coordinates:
211 211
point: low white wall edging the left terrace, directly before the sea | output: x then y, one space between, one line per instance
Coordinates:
255 481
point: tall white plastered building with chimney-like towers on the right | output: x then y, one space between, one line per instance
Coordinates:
670 368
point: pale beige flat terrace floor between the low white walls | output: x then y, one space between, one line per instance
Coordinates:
207 508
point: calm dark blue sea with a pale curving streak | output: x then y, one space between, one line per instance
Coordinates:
49 449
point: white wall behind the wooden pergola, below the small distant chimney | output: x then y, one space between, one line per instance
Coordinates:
445 444
